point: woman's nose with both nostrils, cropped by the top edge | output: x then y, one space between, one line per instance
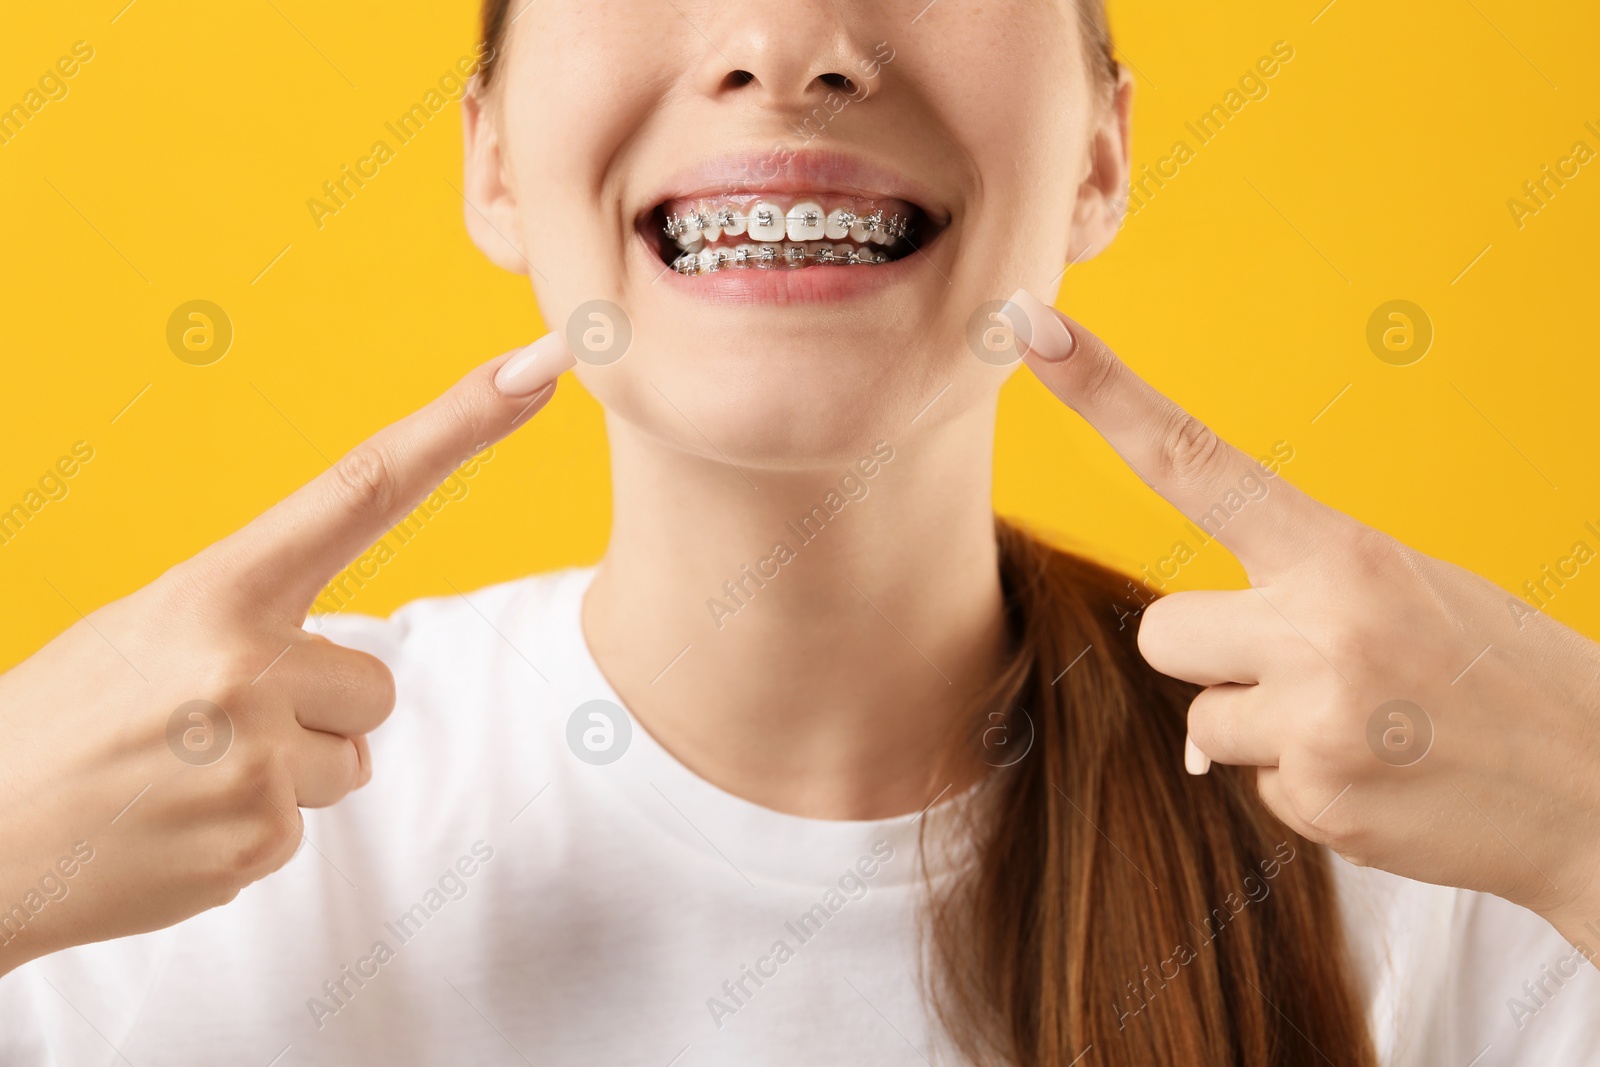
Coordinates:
785 58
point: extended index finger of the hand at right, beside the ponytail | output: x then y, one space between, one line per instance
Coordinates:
1260 518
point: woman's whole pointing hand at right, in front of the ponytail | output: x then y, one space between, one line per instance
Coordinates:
1401 709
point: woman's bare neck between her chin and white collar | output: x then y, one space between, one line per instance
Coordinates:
812 642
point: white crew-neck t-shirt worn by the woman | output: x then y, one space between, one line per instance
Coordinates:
492 898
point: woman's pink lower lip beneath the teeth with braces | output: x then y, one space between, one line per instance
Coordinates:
791 286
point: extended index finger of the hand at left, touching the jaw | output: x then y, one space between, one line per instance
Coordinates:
294 549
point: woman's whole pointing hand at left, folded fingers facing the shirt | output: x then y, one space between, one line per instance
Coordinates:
159 815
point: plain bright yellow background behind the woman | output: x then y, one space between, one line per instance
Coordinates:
1378 169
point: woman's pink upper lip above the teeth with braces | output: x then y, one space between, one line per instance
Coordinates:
790 174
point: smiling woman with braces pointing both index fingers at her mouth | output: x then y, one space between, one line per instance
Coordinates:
895 781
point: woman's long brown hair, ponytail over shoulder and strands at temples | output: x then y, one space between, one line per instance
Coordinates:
1118 906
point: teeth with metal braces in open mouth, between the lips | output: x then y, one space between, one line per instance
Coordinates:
786 233
